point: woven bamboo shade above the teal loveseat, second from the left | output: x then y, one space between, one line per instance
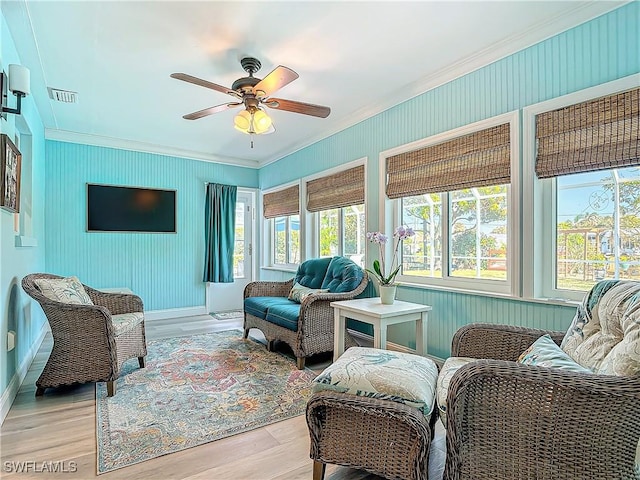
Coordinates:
336 191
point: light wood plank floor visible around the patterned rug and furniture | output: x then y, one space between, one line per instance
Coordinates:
61 427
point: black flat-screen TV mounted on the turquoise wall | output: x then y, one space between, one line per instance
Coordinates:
130 209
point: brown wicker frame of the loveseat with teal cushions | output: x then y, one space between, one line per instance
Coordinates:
314 331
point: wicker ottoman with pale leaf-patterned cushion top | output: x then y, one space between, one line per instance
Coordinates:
374 410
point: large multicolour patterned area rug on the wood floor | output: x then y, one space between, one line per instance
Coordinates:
195 390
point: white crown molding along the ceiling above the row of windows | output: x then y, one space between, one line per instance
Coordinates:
502 49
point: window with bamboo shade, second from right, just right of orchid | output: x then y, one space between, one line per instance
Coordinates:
455 192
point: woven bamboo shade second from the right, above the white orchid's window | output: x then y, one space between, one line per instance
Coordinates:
479 159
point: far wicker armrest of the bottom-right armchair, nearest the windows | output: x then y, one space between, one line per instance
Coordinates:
498 342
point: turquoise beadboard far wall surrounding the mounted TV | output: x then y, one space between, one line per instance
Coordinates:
164 269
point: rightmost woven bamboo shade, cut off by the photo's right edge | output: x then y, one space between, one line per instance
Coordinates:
595 135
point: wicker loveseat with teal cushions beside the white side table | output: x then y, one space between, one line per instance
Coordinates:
298 312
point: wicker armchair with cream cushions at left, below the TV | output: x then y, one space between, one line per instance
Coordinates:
94 332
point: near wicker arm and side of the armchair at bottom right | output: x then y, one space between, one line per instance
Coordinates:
504 417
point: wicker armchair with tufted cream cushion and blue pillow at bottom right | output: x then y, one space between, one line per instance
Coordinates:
530 409
